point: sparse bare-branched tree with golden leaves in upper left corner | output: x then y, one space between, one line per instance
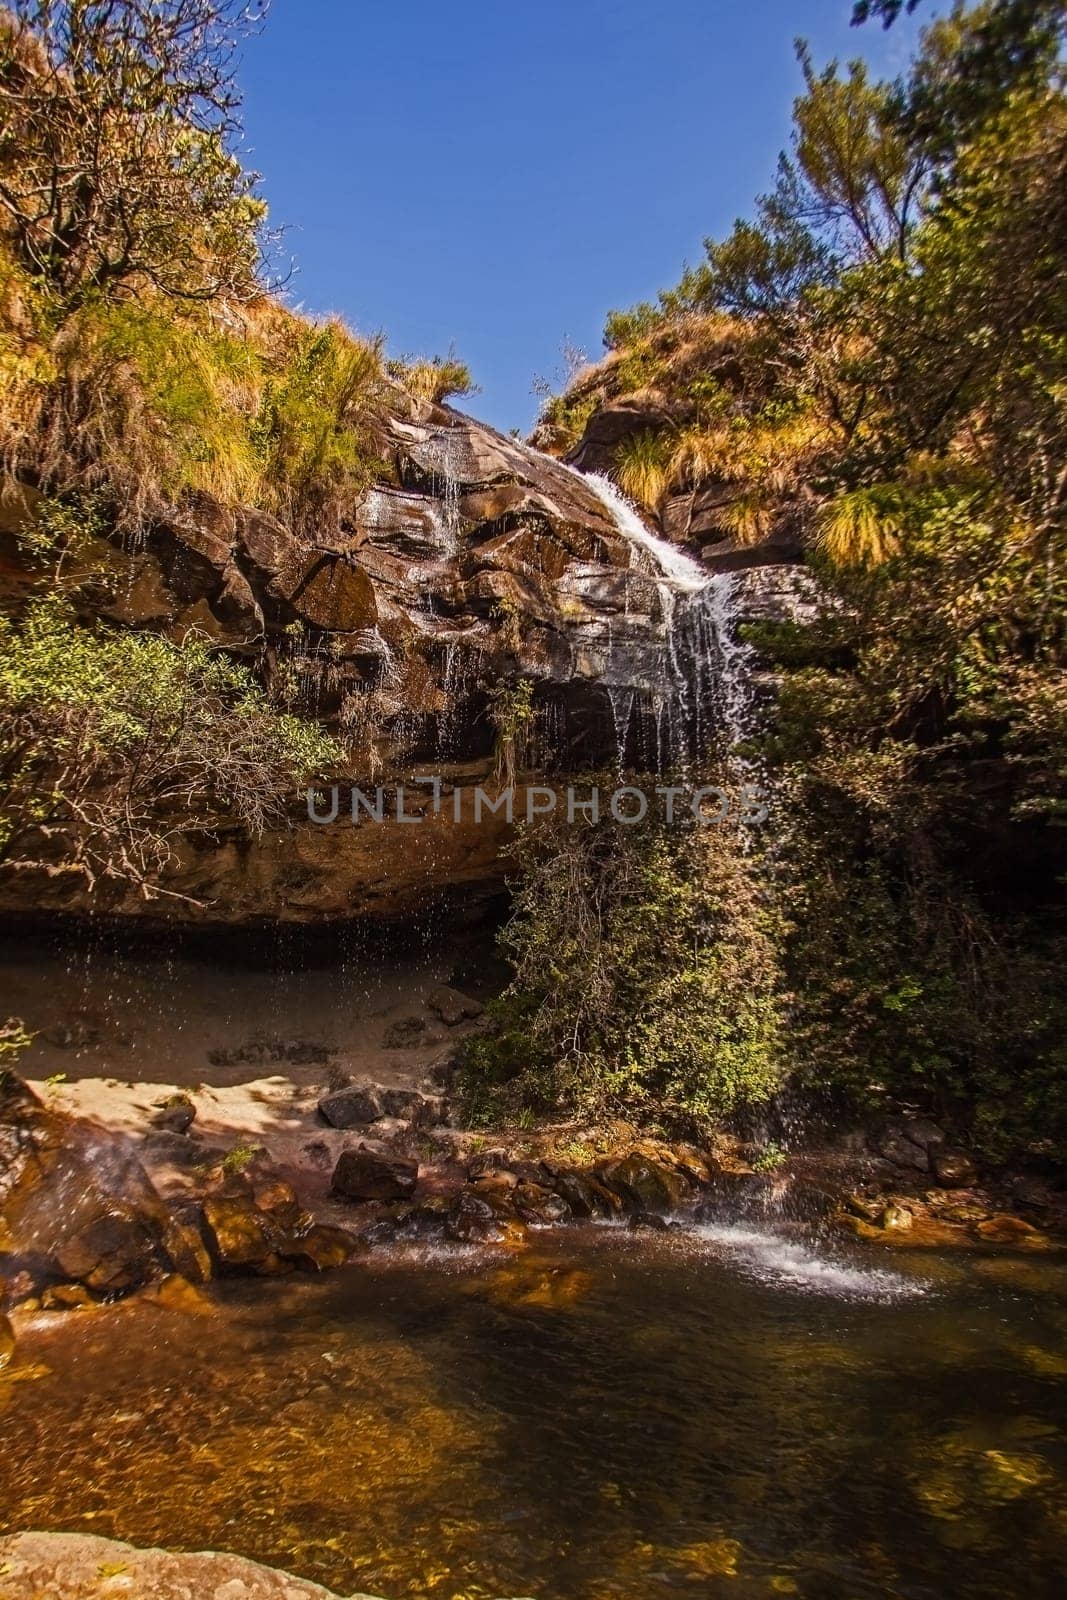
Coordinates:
118 167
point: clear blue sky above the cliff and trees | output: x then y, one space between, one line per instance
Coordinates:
497 177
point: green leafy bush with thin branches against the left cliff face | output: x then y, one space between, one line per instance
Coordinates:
116 745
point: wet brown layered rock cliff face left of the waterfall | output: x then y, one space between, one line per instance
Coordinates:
474 566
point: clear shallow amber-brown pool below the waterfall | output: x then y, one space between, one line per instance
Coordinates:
605 1417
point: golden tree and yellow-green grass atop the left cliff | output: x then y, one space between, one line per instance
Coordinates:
142 353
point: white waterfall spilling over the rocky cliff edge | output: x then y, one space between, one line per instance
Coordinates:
706 676
